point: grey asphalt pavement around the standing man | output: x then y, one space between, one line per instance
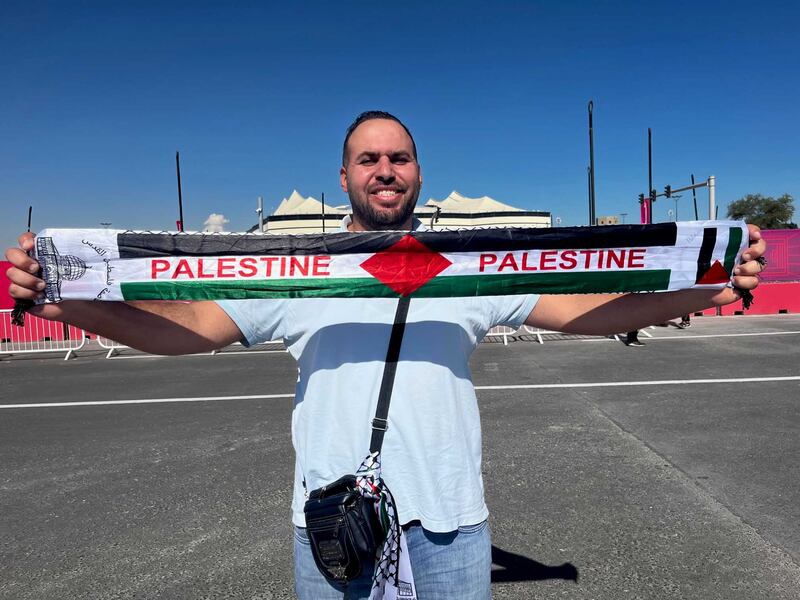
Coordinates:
664 471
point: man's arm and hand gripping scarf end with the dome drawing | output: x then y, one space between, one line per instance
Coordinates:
151 326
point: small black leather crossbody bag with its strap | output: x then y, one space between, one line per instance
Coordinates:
342 526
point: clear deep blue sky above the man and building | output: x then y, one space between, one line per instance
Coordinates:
98 96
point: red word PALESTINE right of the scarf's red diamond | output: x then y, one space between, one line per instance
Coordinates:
563 260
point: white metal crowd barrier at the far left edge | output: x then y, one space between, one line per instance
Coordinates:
39 335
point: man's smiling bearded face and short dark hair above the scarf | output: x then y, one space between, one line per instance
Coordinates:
381 176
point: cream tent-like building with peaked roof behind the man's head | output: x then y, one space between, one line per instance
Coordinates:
298 214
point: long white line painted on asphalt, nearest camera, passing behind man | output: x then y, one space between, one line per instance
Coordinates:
533 386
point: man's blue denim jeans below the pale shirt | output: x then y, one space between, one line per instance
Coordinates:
457 564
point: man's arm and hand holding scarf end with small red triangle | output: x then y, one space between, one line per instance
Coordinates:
604 314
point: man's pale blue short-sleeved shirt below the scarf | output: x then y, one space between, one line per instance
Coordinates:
431 455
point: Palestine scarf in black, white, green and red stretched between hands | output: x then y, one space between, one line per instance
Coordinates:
104 264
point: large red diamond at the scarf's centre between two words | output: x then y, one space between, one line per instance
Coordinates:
405 266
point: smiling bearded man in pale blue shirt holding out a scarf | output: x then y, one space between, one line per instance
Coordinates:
432 449
